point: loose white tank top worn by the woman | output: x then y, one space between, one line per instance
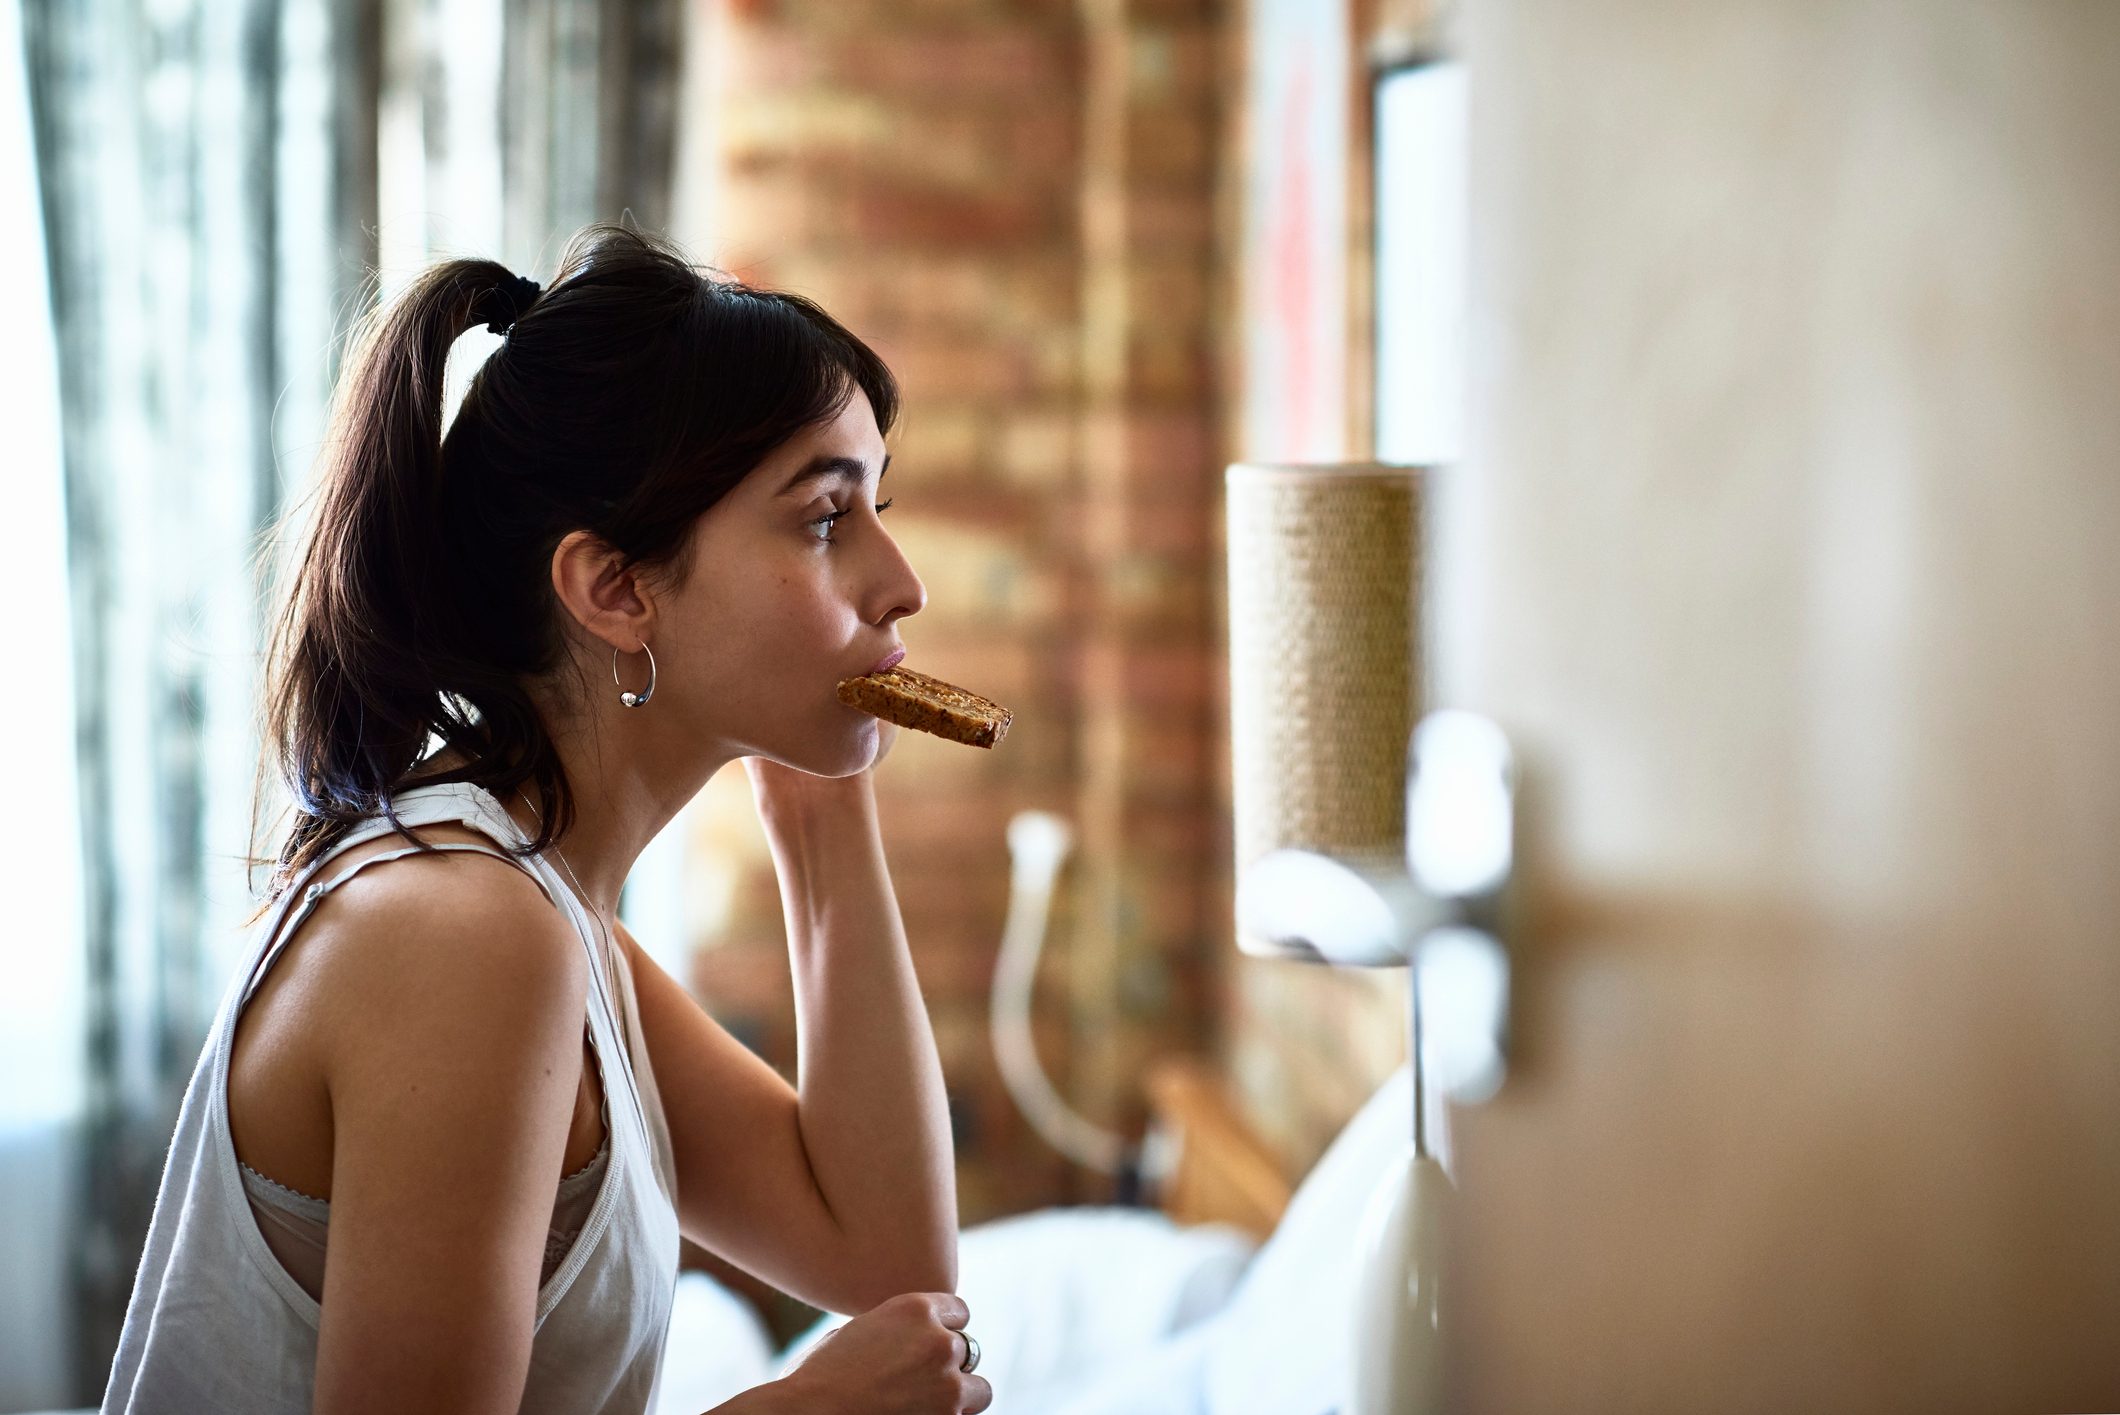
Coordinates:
219 1325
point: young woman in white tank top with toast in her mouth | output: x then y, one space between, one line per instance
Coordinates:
650 544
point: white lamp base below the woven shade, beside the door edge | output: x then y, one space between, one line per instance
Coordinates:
1398 1346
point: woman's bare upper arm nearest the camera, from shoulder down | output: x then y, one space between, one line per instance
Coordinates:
453 1066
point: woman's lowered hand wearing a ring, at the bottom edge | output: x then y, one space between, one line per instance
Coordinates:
904 1357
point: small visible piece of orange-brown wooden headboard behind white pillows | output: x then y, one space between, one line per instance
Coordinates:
1224 1172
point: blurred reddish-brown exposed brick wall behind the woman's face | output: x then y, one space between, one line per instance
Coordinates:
1031 211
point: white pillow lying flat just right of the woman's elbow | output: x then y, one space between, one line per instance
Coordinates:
1061 1295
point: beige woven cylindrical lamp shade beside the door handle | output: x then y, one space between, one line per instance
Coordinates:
1324 661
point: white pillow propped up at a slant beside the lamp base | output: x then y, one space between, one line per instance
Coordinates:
1284 1342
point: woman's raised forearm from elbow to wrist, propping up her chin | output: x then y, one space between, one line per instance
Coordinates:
874 1117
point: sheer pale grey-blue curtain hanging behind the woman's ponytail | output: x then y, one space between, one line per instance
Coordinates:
222 186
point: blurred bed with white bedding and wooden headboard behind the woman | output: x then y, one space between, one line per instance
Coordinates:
1229 1299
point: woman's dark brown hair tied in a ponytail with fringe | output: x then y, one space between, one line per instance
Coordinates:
629 398
